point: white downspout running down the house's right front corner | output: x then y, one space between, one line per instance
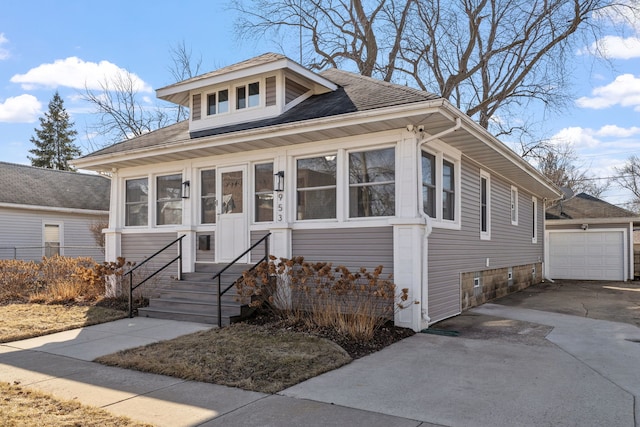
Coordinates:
424 297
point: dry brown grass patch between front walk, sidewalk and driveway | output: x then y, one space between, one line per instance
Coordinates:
245 356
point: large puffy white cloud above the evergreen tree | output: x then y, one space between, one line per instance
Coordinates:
75 73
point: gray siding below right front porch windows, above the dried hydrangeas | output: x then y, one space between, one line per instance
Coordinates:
352 247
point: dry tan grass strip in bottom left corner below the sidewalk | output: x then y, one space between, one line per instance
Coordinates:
20 406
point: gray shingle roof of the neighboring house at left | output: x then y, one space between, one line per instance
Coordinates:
27 185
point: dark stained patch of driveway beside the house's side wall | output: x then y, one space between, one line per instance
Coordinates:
483 327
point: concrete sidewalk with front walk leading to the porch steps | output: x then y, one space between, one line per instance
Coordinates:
60 364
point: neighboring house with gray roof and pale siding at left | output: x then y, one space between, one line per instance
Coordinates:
44 212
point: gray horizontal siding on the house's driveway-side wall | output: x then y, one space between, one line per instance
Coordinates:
452 252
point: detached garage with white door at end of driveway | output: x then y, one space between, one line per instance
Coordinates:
589 239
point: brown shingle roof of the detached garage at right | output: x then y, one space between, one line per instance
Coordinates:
584 206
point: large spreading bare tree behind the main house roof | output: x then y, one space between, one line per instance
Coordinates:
488 57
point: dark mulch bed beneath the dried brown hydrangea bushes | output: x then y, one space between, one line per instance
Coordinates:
385 336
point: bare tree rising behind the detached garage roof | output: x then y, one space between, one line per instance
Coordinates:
559 164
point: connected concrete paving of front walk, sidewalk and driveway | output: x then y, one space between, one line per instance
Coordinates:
585 374
